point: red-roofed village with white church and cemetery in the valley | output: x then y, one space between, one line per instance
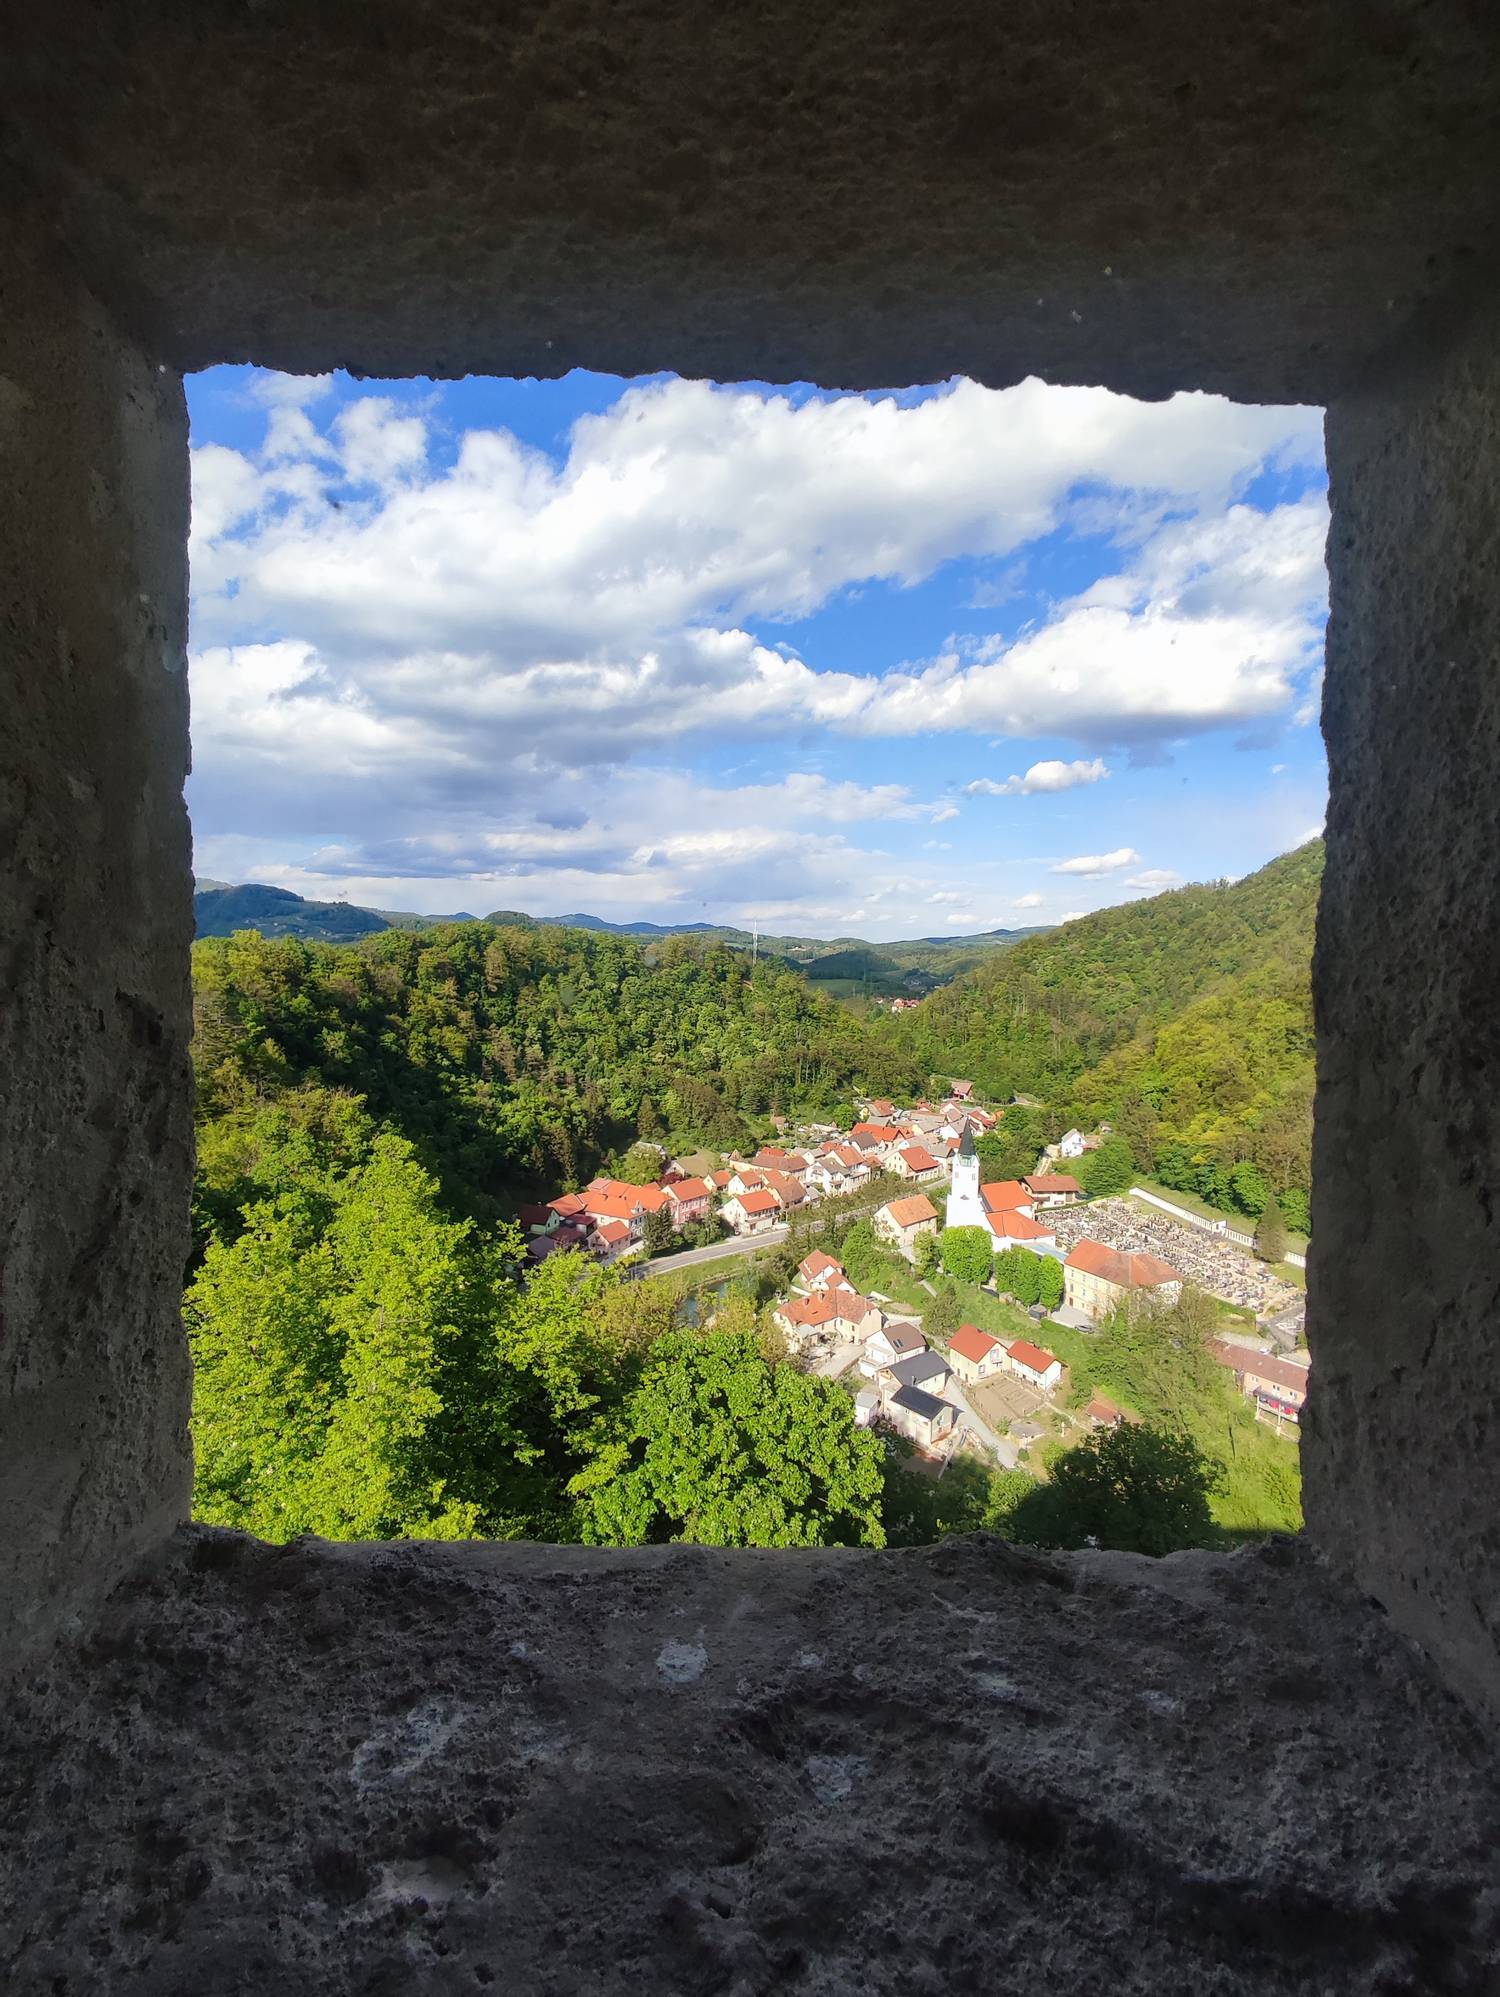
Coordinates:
1000 1393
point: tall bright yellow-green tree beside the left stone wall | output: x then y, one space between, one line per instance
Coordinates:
345 1381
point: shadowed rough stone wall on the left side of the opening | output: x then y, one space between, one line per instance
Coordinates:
95 928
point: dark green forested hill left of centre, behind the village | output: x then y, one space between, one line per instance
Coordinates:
514 1059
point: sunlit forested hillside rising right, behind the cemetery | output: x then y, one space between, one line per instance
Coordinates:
1187 1015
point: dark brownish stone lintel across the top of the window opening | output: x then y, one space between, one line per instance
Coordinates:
1151 193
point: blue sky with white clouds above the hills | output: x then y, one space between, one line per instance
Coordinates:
880 666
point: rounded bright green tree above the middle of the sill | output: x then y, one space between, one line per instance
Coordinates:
724 1449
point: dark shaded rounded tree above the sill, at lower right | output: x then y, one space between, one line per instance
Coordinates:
1143 1491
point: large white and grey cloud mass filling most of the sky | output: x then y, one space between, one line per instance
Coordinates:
432 656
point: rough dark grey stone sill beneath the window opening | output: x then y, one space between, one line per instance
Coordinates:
448 1770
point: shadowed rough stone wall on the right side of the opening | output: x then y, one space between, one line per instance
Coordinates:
1403 1449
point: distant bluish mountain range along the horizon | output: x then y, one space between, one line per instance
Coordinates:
850 968
